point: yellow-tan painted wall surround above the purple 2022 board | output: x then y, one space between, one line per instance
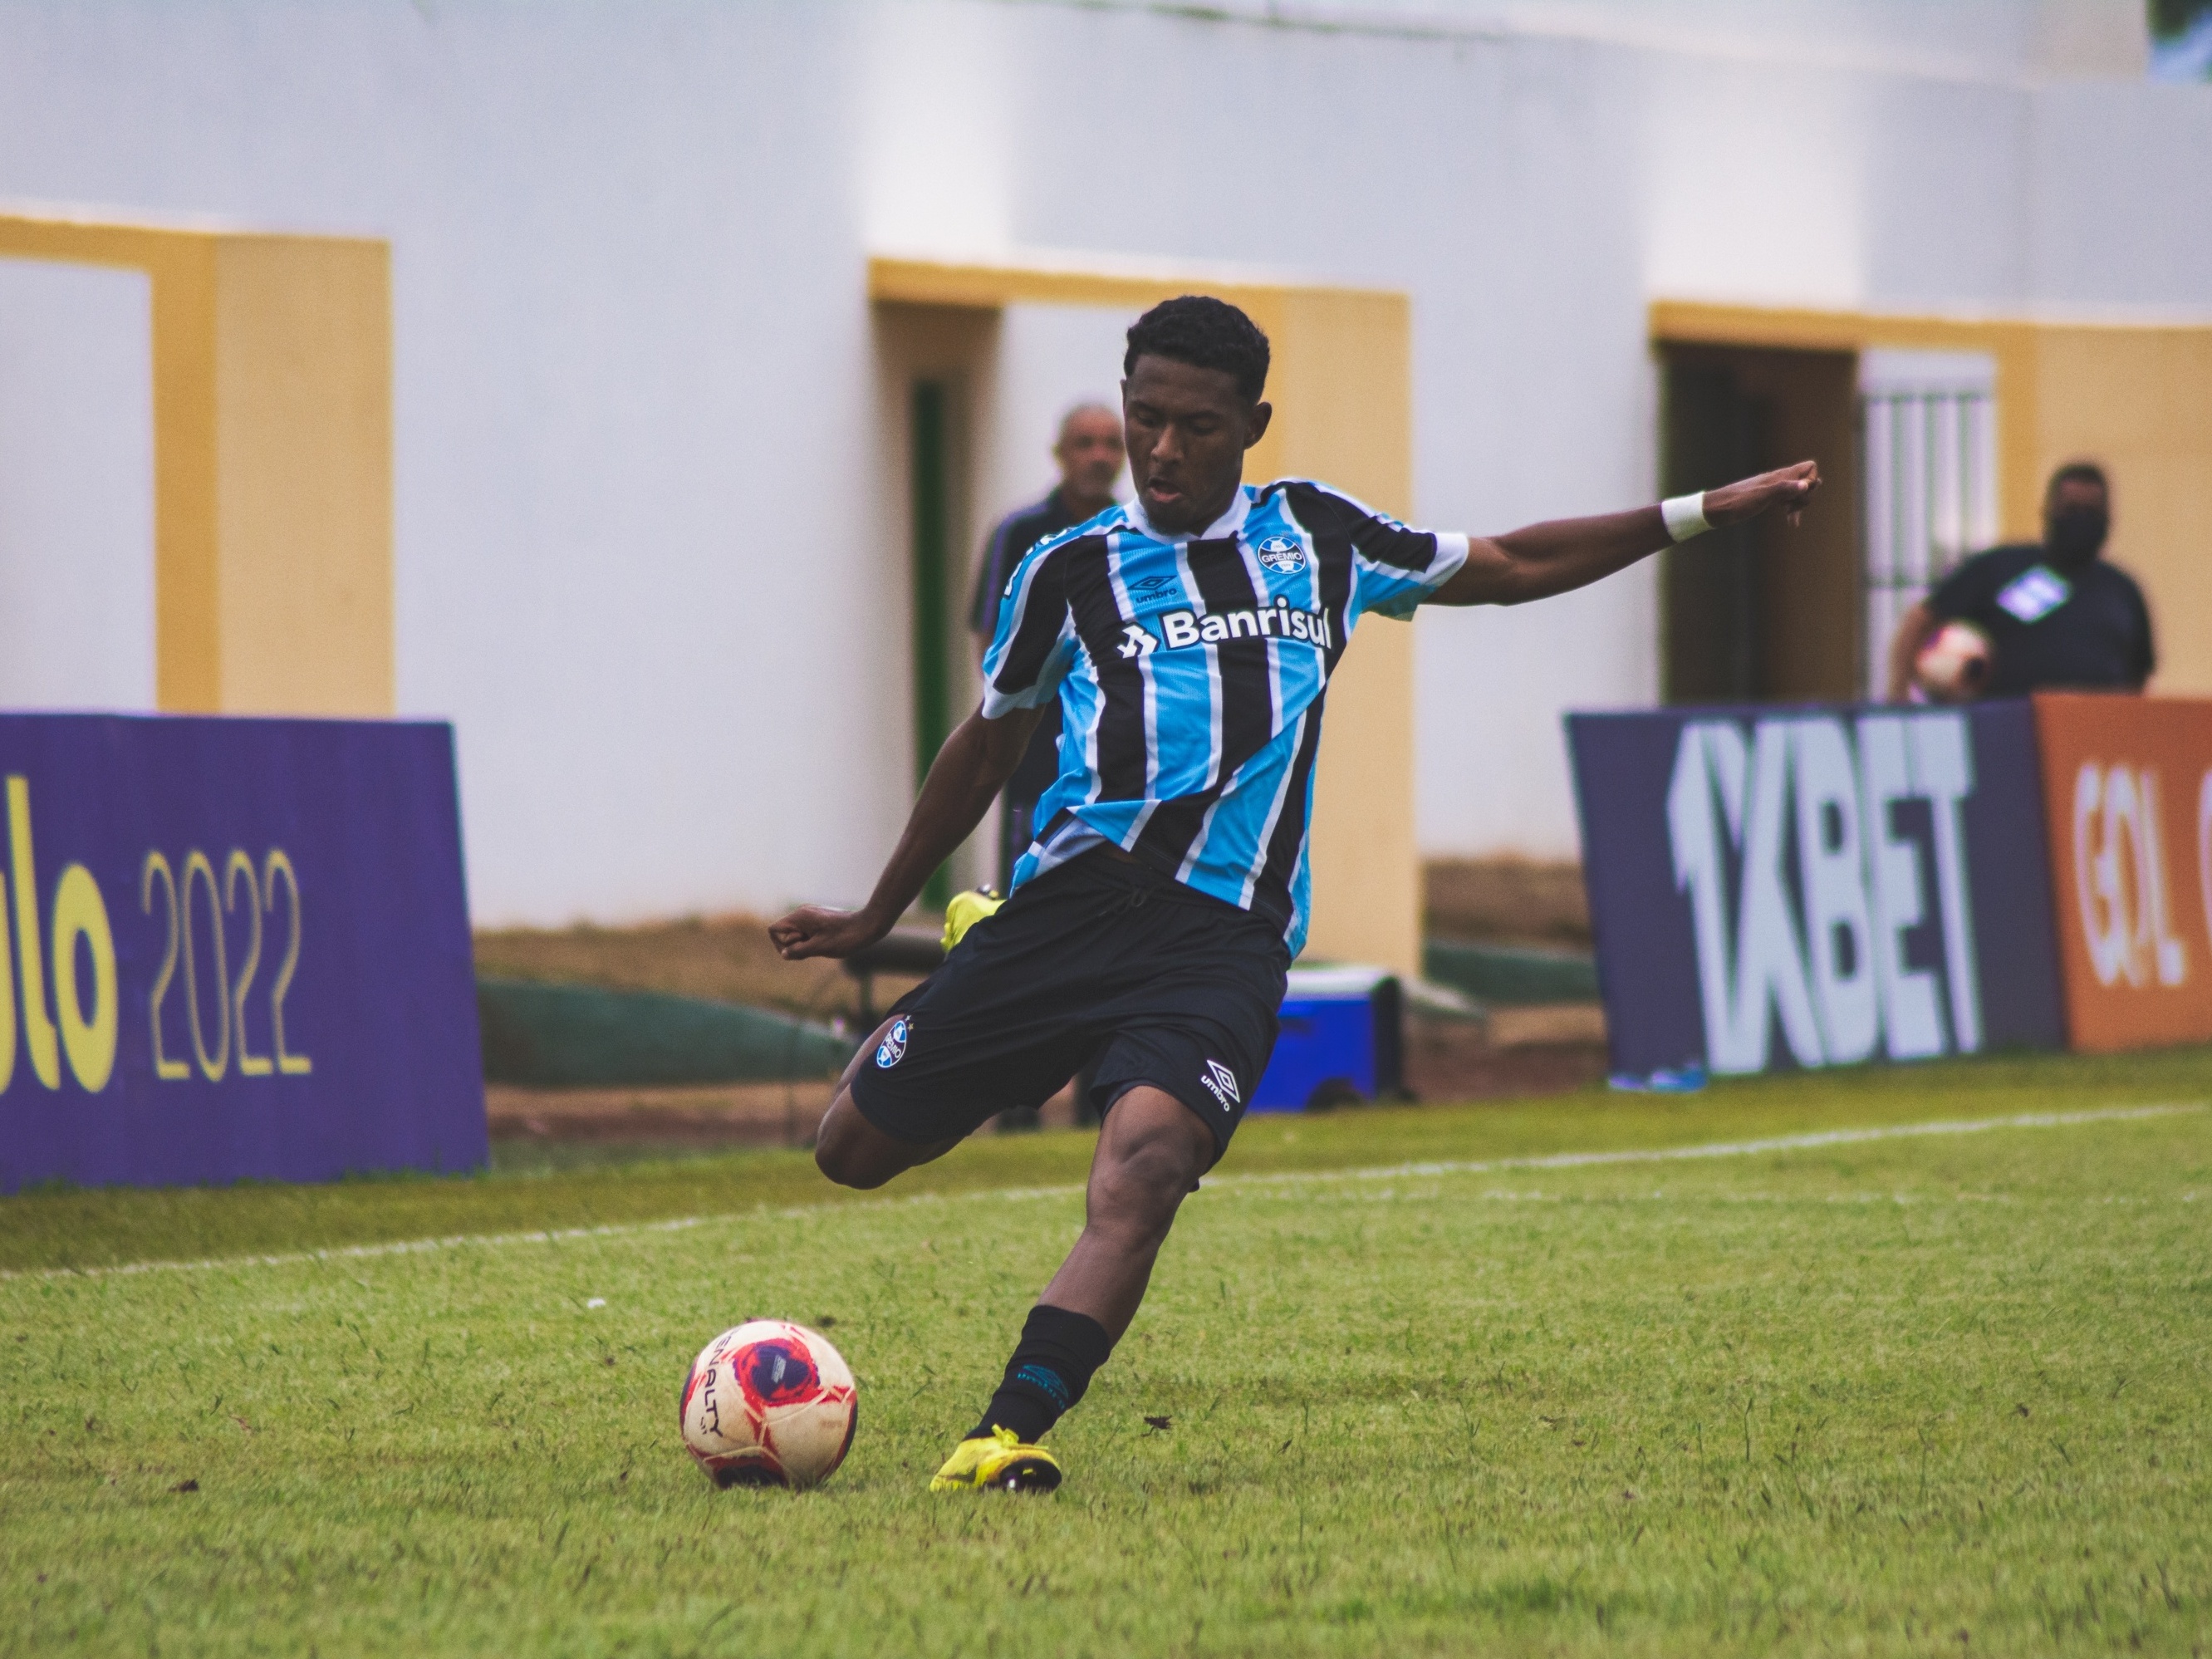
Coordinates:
271 457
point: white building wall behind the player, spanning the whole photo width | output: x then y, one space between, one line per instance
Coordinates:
647 554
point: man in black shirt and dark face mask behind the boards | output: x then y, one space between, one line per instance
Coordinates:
2056 614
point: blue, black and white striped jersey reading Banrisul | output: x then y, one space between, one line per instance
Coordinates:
1191 678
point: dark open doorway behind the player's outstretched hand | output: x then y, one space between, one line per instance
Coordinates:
1764 612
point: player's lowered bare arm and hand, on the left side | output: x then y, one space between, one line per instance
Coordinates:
963 782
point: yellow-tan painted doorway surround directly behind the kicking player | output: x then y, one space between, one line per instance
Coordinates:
1344 410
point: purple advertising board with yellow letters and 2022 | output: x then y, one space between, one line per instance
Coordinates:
233 948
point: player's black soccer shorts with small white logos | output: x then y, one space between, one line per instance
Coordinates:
1098 961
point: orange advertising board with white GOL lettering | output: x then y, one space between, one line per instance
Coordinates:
2129 808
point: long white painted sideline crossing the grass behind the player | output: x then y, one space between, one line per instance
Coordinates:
1229 1182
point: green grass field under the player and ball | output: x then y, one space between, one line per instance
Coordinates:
1921 1392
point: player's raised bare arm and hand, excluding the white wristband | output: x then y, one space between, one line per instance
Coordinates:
1569 554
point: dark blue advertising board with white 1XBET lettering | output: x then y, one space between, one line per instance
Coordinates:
1817 886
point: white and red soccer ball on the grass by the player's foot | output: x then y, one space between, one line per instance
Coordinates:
769 1404
